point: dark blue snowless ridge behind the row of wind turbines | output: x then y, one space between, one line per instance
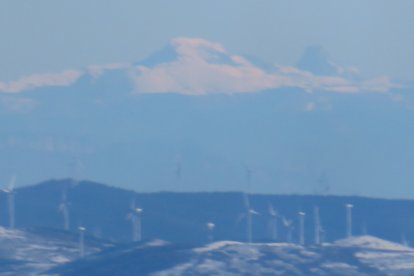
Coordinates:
183 217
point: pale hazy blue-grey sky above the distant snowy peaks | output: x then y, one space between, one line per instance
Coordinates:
376 36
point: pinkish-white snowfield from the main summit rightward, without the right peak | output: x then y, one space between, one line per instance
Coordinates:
195 71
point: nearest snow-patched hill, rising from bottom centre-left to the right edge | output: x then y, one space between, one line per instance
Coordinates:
364 255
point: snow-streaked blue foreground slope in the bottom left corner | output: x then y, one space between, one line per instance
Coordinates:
32 252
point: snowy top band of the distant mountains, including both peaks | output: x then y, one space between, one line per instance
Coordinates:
194 66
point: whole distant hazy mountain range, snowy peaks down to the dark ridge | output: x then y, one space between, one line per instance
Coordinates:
193 117
